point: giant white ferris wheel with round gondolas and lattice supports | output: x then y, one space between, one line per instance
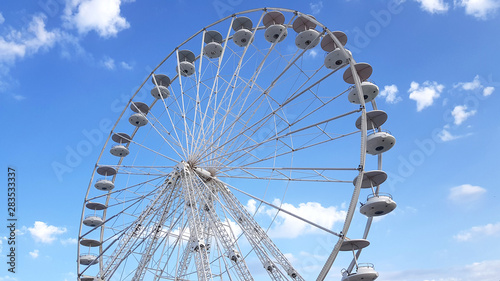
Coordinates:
264 106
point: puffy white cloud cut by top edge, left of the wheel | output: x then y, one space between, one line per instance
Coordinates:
102 16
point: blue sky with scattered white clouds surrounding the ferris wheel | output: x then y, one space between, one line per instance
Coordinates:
66 74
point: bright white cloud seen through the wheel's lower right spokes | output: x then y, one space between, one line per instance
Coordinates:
287 226
